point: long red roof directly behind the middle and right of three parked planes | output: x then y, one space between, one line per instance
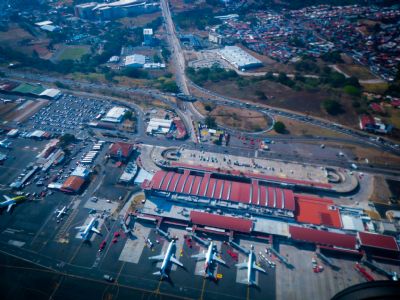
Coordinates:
231 223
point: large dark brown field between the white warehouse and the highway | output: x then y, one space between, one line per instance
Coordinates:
307 102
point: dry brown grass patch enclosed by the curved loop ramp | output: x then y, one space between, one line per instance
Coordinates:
238 118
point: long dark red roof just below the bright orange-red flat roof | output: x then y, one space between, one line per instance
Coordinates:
322 237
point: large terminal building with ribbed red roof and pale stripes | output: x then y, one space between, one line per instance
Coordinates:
226 192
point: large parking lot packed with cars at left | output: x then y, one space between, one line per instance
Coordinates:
68 114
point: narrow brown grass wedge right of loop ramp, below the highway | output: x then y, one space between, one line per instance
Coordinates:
298 128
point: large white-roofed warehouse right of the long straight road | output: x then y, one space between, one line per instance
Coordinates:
239 58
